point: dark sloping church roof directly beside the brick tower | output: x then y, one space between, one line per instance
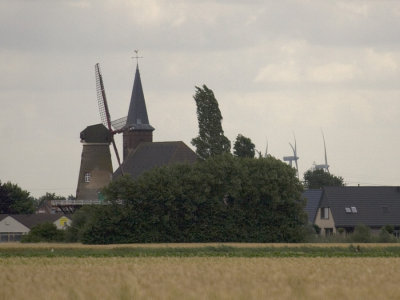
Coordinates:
156 154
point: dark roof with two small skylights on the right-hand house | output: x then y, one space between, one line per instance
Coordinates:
374 206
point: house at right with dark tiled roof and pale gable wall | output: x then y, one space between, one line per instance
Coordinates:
349 206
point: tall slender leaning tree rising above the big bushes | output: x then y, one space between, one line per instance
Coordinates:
211 139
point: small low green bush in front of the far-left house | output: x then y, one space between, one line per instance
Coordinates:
45 232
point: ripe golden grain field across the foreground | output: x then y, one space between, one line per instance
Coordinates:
193 277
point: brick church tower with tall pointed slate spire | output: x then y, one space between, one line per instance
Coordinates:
137 128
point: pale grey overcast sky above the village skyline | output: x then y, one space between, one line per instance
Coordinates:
277 68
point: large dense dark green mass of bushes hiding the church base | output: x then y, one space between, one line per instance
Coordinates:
220 199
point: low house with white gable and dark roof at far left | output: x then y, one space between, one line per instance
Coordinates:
12 227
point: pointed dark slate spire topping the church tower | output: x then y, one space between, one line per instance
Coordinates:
137 115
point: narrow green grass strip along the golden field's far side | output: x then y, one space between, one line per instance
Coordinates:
207 251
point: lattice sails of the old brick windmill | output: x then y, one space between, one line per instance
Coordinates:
105 113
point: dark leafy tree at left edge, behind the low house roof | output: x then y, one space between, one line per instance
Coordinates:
14 200
